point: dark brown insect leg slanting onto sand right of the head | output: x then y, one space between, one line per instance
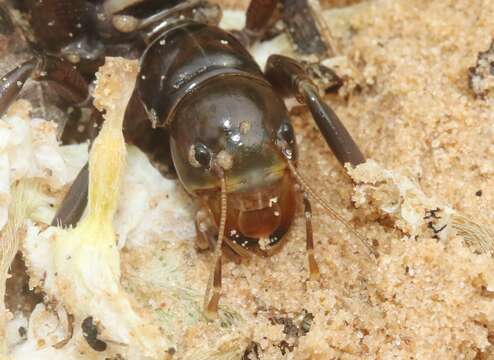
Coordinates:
289 79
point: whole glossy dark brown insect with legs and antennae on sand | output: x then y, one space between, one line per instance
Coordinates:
202 101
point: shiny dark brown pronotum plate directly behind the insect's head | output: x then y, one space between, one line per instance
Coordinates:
181 58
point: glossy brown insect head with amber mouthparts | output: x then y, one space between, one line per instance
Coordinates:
233 123
